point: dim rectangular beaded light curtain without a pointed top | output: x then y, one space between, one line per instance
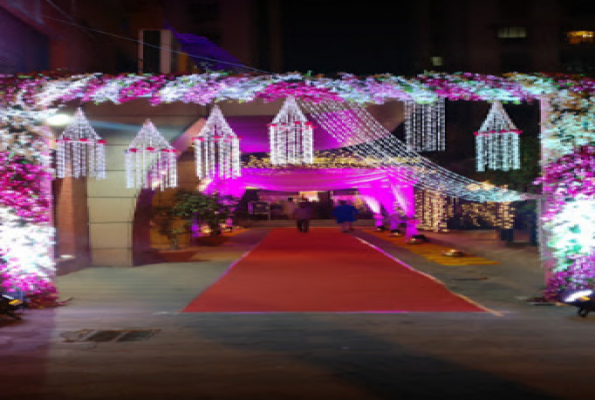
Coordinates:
424 125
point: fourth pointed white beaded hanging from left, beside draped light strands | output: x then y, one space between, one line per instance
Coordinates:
291 136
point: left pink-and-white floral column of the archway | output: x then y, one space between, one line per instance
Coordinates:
26 236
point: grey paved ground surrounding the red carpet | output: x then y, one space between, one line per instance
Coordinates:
528 352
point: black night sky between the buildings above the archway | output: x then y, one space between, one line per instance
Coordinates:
328 36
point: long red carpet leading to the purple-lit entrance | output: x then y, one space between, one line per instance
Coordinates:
323 270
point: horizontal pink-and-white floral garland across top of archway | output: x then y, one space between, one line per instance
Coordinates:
210 87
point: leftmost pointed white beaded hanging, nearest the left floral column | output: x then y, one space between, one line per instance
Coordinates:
79 150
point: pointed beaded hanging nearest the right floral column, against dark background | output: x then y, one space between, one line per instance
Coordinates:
497 141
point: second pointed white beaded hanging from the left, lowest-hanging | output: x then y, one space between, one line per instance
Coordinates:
150 160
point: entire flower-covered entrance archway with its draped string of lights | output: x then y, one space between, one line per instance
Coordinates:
567 134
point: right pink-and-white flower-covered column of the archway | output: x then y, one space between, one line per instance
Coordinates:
569 186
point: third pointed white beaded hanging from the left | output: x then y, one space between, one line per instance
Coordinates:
217 148
